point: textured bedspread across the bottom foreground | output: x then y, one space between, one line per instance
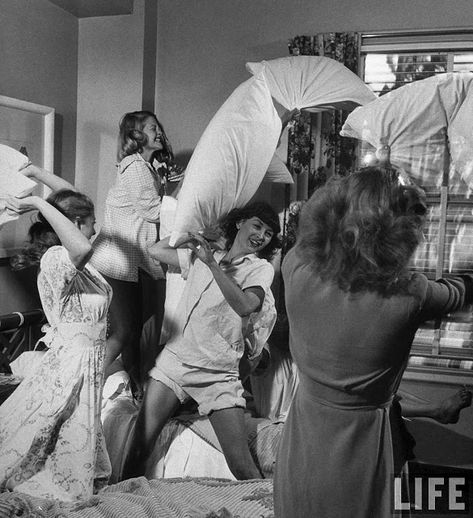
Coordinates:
141 498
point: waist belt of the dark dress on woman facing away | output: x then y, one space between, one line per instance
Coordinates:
338 398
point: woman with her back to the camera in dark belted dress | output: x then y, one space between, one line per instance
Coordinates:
353 309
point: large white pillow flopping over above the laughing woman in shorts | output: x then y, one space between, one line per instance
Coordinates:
235 150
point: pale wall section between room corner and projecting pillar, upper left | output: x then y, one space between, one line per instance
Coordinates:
110 70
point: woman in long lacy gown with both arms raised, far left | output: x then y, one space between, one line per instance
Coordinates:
51 438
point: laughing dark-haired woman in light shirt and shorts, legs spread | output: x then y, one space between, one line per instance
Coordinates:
227 296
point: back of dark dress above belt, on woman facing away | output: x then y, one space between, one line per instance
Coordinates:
352 342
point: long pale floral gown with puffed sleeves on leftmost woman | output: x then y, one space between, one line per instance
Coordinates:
51 440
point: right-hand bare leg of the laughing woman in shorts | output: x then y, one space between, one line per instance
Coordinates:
229 426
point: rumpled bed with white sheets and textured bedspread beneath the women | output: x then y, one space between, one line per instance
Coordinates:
187 475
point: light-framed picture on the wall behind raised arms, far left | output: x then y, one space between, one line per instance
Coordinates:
29 128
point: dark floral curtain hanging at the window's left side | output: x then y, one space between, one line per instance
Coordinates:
315 149
